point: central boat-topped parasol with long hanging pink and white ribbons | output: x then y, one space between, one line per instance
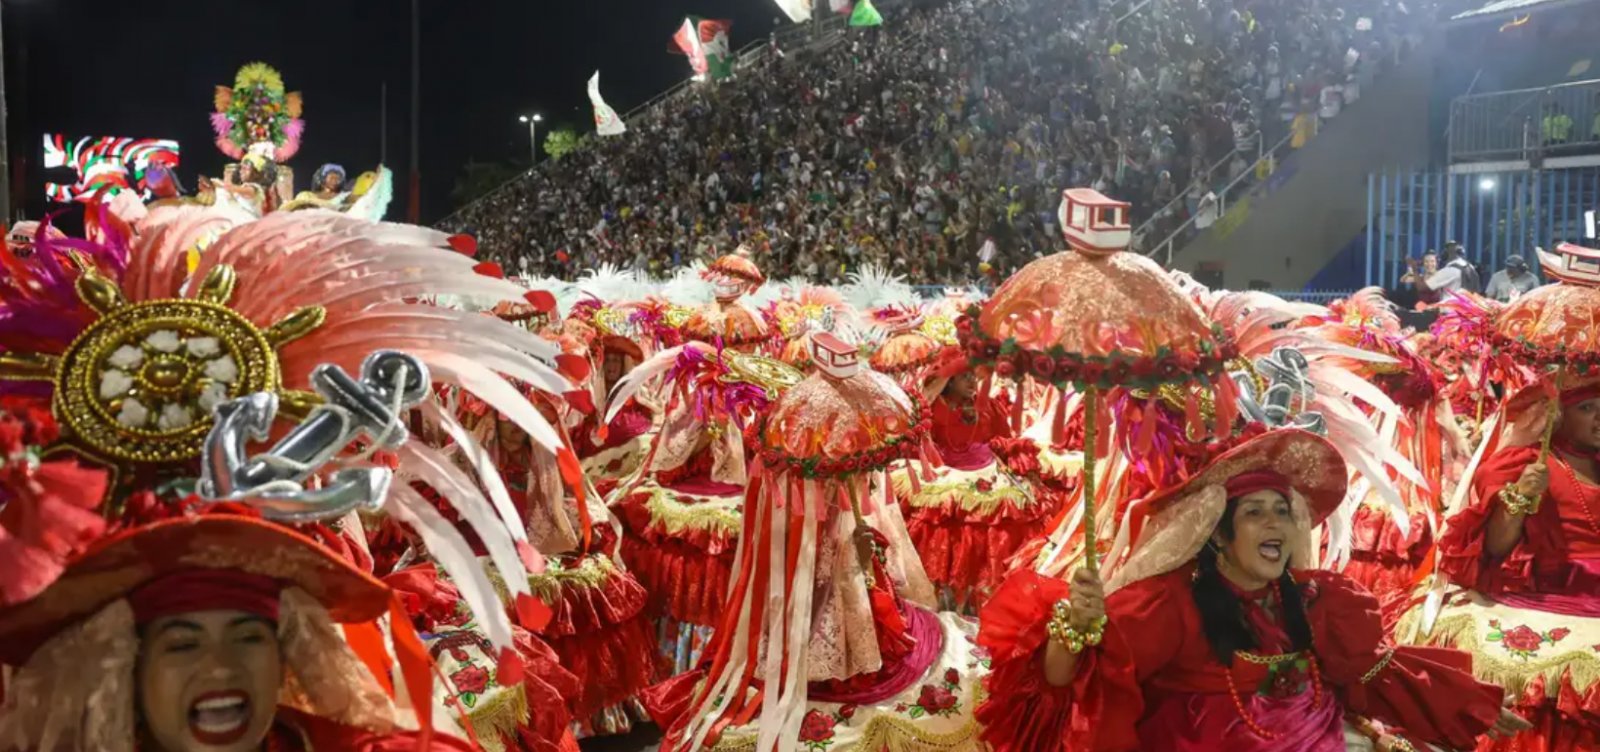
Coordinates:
818 484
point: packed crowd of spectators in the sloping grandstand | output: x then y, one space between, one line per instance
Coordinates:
914 143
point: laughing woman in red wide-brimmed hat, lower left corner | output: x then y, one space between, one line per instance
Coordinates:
215 633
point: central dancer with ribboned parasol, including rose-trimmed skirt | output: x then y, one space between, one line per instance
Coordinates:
826 636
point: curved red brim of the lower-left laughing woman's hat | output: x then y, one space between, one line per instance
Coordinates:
124 562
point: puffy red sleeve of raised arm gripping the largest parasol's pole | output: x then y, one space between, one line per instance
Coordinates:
1102 708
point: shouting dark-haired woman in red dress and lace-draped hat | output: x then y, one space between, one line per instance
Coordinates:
1209 641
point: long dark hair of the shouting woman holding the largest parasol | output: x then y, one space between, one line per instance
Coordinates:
1223 617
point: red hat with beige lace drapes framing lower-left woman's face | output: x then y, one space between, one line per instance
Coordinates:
92 614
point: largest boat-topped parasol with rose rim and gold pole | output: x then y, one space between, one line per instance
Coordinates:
1097 319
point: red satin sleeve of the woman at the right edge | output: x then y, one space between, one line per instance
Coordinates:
1462 546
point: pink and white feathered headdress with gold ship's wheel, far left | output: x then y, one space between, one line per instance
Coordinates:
135 354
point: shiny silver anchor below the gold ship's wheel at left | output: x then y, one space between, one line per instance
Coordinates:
274 482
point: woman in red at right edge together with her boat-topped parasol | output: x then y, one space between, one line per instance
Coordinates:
1526 542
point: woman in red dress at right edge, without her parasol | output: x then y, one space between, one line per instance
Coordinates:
1529 546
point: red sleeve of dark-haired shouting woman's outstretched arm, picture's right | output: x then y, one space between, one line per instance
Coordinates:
1428 694
